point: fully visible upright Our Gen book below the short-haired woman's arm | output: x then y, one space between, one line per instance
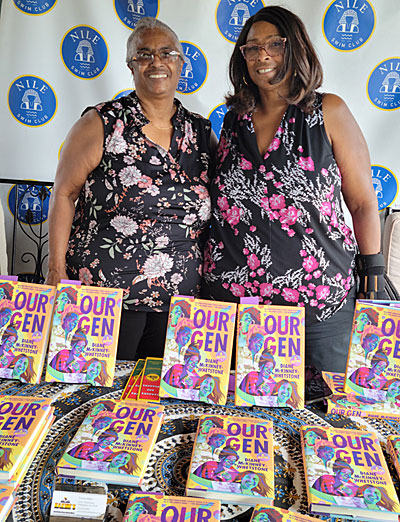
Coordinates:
84 335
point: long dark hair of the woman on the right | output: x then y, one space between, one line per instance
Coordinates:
300 59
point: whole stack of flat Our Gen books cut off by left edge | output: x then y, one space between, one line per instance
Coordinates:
24 423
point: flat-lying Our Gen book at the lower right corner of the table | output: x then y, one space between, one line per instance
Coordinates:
346 474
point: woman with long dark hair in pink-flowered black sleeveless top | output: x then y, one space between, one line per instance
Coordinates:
286 155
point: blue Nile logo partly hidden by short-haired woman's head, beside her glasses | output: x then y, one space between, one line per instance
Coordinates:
194 71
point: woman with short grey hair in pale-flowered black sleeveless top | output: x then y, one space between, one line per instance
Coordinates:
138 169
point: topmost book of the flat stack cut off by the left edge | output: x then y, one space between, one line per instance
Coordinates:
21 420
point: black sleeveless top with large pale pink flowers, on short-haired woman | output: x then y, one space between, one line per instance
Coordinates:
140 215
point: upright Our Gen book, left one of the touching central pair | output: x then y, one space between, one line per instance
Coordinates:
198 350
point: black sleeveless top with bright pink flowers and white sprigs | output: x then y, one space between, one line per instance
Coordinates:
277 229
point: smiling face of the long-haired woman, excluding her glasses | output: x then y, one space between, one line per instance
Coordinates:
264 69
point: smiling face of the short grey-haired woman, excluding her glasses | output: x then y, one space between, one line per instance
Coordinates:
156 79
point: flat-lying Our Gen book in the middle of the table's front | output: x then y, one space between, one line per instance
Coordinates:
233 459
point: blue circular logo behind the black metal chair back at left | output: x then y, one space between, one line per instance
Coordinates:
31 202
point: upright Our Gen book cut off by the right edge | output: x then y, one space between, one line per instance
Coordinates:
373 364
